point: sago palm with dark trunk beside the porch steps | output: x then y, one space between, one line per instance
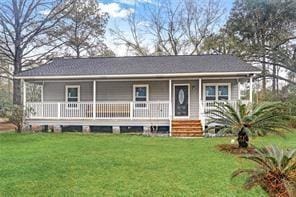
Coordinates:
258 119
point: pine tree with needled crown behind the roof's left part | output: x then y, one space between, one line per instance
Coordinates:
82 29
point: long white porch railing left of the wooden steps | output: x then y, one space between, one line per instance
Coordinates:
103 110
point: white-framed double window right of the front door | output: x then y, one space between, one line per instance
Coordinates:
215 92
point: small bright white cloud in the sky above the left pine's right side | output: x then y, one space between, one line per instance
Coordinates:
115 10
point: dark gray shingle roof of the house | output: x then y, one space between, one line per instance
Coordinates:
140 65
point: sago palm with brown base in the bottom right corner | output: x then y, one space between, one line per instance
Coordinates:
275 171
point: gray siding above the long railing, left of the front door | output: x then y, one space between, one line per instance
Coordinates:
106 91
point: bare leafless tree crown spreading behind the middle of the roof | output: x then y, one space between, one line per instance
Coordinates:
170 27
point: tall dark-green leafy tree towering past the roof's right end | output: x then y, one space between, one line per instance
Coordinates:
261 32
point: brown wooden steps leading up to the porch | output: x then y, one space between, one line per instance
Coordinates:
187 128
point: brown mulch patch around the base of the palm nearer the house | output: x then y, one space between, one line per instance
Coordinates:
234 149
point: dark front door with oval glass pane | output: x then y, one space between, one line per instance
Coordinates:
181 100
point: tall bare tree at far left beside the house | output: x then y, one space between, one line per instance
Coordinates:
23 27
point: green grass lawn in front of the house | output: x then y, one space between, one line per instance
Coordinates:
120 165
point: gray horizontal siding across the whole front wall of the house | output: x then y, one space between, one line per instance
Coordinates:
123 91
